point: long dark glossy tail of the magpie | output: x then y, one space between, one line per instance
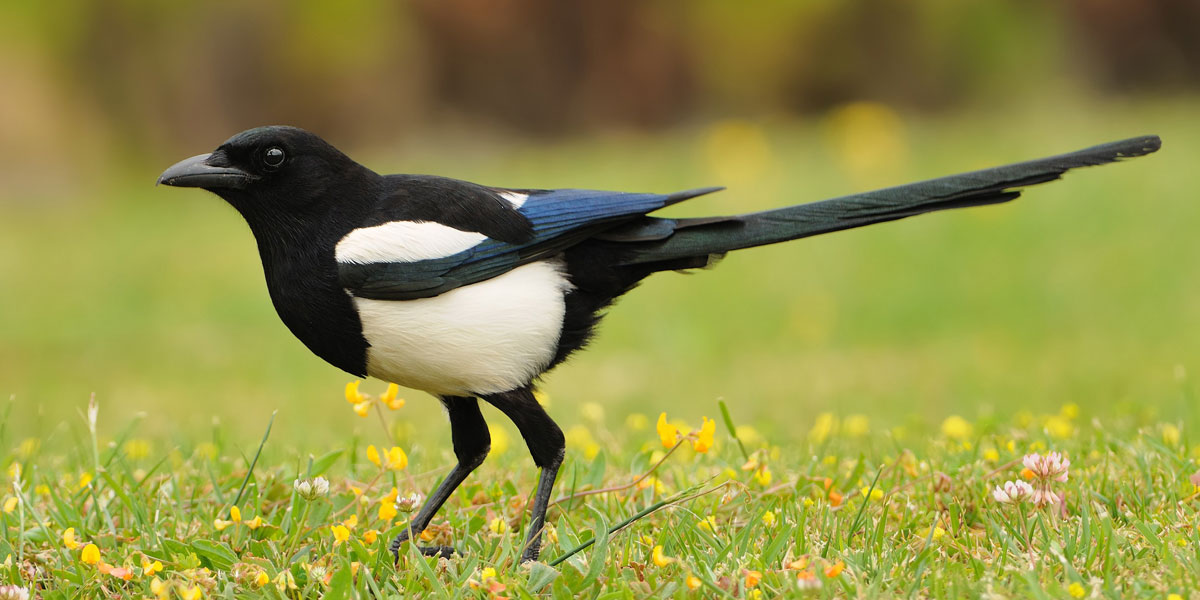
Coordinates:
681 243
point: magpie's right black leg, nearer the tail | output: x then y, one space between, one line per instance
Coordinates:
547 446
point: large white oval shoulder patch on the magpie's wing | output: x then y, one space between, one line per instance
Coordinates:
404 242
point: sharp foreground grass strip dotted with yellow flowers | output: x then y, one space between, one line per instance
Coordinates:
848 509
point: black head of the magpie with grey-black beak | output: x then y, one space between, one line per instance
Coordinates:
271 172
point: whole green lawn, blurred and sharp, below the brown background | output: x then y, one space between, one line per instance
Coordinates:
1063 322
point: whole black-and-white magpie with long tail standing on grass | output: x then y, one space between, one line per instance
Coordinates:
471 292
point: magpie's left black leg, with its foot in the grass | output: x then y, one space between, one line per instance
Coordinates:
471 446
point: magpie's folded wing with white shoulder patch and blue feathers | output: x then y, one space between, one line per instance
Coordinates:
439 235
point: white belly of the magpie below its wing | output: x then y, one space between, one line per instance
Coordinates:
487 338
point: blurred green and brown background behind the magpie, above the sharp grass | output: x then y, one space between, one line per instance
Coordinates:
1084 292
